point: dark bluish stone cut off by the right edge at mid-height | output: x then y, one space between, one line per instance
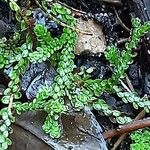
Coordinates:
147 84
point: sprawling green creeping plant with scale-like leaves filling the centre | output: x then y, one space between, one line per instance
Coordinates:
70 90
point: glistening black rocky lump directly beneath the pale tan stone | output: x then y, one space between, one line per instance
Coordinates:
88 61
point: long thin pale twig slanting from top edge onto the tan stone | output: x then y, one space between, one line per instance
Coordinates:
61 23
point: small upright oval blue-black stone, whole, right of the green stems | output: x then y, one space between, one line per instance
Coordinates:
134 74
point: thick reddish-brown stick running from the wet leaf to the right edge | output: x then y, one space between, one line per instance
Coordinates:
139 124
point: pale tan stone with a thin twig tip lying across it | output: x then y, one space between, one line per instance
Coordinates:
94 43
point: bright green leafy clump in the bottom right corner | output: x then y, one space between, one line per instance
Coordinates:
140 140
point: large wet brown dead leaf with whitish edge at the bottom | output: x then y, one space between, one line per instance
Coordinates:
81 131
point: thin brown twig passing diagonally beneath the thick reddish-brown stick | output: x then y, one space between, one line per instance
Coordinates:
123 136
